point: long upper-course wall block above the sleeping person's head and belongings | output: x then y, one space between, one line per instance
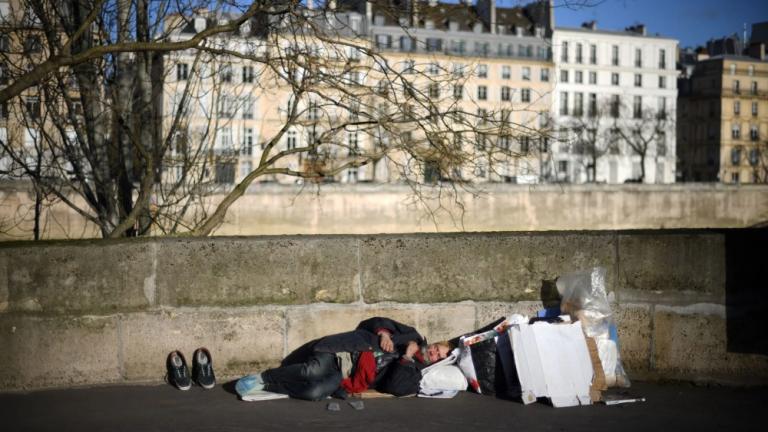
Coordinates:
481 267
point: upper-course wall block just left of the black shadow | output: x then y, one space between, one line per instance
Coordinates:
692 264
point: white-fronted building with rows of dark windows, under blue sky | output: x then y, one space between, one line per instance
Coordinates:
611 81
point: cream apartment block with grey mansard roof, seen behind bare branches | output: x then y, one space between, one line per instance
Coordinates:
493 64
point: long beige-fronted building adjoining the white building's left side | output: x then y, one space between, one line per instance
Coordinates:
489 73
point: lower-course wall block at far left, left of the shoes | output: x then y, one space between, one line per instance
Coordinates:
57 351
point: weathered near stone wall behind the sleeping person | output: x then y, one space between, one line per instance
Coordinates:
92 312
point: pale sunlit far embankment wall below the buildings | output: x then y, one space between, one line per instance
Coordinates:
375 209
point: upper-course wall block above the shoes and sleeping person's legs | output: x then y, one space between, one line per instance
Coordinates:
253 271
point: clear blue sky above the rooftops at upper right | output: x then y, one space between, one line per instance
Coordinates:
692 22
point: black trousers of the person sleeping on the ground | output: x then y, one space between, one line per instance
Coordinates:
315 378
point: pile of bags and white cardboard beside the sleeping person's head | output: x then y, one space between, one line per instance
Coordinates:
568 355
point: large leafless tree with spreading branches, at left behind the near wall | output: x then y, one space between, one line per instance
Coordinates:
137 107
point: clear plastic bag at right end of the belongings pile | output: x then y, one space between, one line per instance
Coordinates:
584 298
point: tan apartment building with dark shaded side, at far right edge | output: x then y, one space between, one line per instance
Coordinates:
723 120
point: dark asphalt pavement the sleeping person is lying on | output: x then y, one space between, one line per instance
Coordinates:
668 407
